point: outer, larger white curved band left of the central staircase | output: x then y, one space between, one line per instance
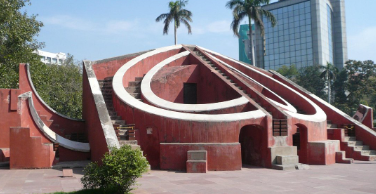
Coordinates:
125 97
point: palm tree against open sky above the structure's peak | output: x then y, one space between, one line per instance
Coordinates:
178 15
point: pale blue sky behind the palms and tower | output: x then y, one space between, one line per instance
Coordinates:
94 29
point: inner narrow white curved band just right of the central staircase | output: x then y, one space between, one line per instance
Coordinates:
288 106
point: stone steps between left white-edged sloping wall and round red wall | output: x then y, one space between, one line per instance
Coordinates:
124 132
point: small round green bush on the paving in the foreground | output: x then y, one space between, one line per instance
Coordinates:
119 170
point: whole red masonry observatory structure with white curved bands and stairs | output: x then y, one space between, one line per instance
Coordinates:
187 108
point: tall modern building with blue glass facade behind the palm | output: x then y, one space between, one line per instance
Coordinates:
308 32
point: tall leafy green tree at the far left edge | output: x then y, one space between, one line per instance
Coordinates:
17 40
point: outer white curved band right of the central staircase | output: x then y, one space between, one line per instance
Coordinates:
319 115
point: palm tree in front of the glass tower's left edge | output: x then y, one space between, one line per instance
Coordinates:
254 11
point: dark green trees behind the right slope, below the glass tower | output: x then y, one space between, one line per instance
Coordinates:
355 84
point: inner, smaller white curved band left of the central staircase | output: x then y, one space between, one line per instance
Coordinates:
157 101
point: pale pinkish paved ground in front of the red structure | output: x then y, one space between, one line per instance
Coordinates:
357 178
